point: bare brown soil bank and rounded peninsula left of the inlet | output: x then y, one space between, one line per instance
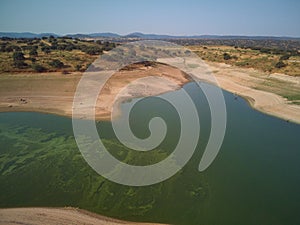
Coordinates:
54 92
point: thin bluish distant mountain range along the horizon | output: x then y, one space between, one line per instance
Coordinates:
139 35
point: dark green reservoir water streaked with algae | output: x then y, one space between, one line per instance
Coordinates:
255 179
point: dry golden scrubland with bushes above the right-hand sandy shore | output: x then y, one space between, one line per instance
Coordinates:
266 60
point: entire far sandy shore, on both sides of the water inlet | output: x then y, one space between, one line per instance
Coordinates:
53 93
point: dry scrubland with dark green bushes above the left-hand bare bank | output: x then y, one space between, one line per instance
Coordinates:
49 54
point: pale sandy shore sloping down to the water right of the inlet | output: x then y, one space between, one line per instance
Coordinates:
243 82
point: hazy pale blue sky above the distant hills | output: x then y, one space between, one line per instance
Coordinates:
185 17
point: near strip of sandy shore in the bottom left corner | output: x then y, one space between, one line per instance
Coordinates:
54 216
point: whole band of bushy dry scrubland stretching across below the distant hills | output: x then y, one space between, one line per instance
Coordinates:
66 54
